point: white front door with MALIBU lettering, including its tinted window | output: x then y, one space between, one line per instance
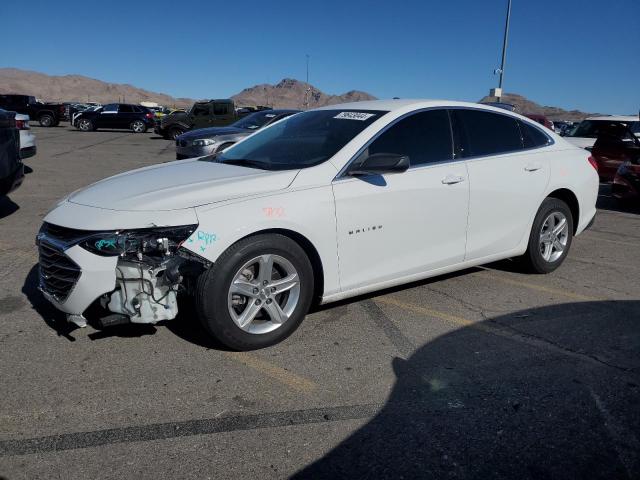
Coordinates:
395 225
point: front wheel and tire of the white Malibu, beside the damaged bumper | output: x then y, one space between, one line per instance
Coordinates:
222 311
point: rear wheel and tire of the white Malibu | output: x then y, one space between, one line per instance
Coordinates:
547 250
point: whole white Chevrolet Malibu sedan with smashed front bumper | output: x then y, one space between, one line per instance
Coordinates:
321 206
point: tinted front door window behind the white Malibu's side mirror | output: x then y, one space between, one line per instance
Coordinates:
424 137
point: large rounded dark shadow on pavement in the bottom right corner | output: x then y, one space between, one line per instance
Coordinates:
549 392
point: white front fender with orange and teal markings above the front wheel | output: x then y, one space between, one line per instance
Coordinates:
309 212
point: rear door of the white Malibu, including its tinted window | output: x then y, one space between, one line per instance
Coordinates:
508 174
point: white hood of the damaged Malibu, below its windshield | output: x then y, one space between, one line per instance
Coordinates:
178 185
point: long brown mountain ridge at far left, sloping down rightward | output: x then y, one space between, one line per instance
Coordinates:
64 88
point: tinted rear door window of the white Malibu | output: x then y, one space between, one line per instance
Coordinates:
487 133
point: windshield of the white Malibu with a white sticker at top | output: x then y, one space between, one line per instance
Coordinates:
299 141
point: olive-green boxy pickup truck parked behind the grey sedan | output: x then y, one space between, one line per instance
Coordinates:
203 114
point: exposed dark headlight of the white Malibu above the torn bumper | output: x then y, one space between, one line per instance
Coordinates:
139 242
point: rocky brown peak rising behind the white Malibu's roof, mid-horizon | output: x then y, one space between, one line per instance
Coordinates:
290 93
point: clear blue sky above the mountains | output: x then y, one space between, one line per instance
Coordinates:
579 54
